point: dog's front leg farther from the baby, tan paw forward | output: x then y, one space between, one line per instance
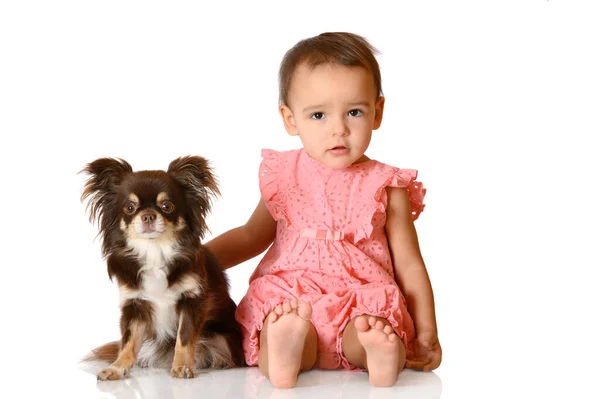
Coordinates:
136 318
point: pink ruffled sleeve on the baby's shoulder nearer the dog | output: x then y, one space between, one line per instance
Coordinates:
269 182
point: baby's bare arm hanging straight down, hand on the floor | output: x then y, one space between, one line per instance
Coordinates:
411 274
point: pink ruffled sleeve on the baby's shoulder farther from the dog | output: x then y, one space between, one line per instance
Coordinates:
393 177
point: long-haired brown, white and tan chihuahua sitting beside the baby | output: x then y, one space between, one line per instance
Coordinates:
175 307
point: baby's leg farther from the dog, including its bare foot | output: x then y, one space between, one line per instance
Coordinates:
370 342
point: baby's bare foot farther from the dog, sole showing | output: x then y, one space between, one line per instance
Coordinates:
383 348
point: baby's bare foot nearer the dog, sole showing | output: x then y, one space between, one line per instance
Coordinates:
286 334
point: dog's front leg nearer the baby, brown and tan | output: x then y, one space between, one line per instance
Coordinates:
191 319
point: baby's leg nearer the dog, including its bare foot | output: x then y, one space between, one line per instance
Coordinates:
288 343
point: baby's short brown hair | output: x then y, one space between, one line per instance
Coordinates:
341 48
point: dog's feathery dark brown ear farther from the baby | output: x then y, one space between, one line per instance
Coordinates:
105 176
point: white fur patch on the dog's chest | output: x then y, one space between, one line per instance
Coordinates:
154 257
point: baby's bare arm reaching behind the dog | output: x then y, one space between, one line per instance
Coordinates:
247 241
